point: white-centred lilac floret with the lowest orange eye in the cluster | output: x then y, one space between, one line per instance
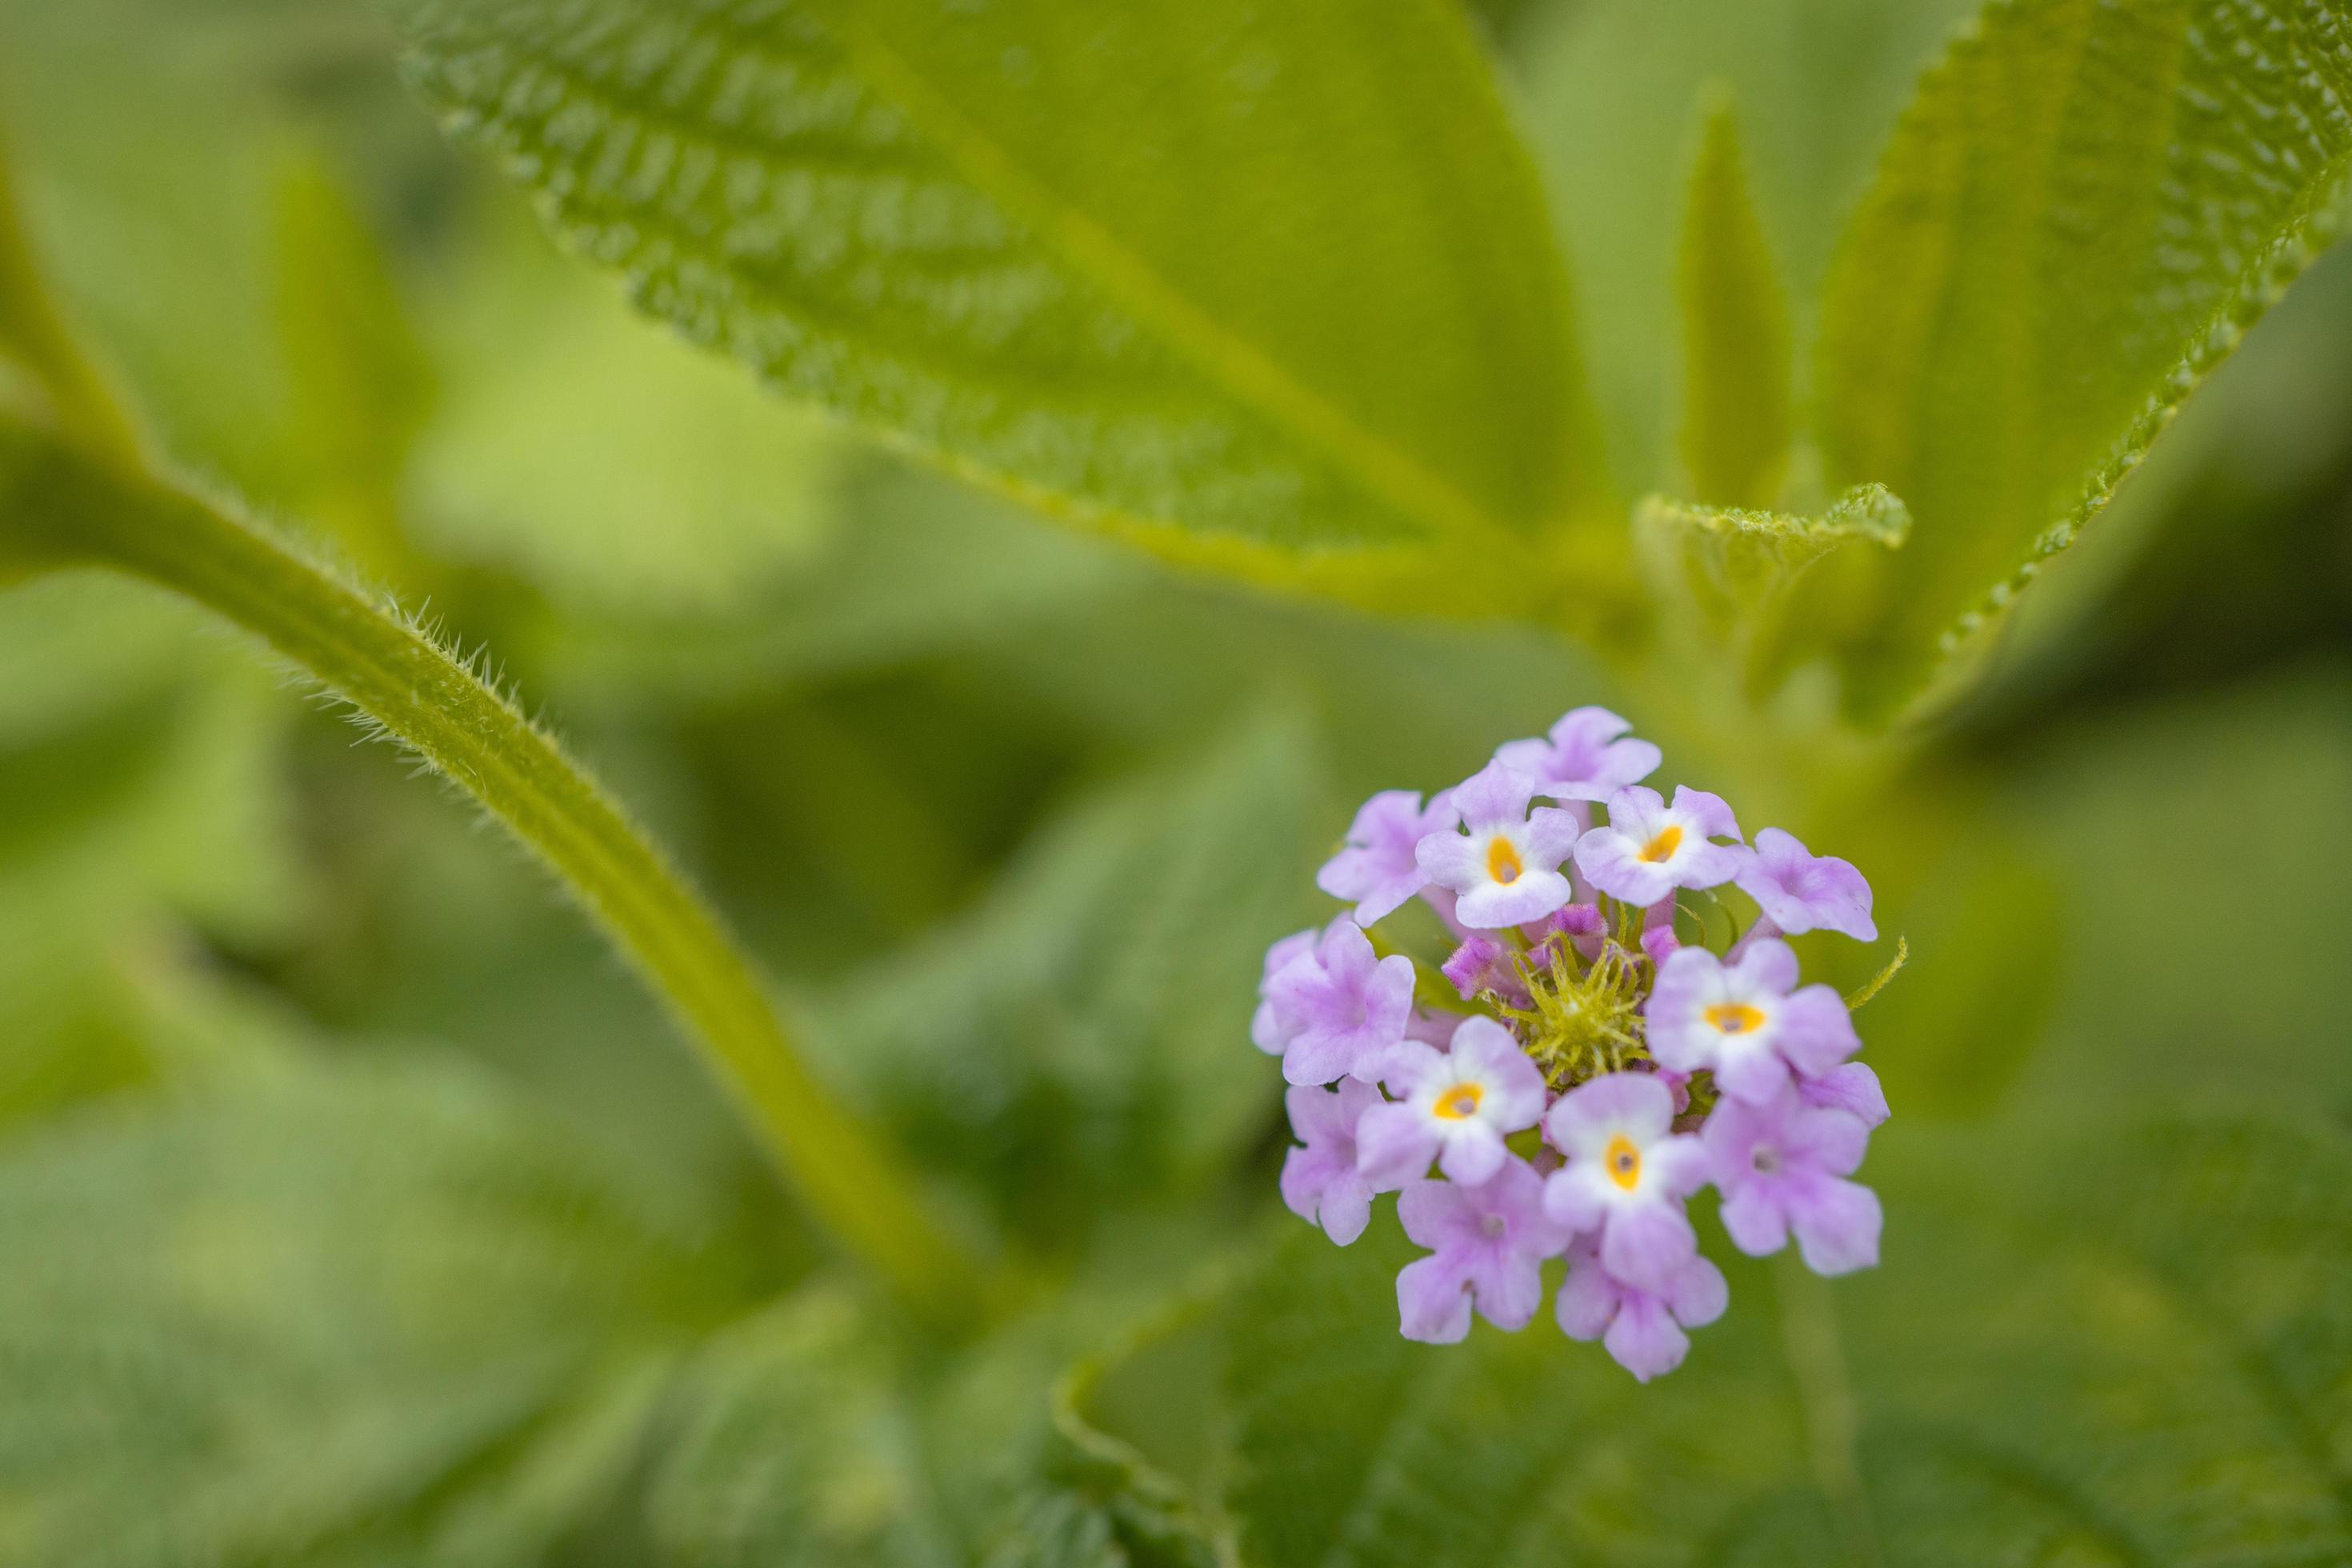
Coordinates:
1626 1177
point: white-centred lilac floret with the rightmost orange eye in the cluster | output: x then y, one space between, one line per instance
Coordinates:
1744 1024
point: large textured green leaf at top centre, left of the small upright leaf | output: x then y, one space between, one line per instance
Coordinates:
1257 272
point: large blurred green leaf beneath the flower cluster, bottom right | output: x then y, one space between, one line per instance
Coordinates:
2123 1348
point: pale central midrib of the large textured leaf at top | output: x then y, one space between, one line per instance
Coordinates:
1236 363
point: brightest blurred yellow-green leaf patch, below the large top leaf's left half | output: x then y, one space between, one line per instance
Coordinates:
603 460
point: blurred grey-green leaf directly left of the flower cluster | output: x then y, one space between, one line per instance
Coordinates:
1071 1040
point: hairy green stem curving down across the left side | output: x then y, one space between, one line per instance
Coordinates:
72 507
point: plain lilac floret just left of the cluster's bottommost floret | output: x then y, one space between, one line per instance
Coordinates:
1490 1245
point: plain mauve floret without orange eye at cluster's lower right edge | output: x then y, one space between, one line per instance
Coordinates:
1782 1170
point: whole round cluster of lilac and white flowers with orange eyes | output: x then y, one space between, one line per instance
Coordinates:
1575 1073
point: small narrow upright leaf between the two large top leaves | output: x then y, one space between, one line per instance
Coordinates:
1737 417
